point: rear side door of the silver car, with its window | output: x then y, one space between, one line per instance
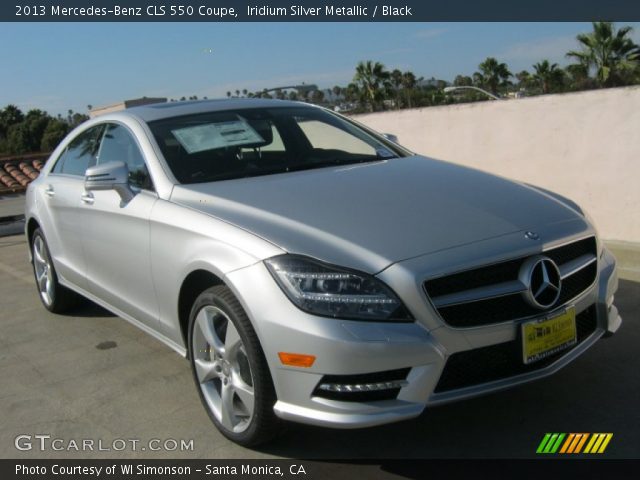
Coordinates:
61 195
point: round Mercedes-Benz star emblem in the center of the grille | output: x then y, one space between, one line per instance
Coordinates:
541 278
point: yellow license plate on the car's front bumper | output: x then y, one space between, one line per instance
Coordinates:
544 337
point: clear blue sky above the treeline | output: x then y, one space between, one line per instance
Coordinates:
58 66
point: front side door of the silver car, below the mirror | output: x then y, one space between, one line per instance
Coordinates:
116 234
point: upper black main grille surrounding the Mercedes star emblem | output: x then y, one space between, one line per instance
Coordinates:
511 306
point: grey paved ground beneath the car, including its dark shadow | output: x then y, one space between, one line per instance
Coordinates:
92 375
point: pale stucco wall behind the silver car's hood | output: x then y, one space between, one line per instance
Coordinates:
583 145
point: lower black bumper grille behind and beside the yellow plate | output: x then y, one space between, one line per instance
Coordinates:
496 362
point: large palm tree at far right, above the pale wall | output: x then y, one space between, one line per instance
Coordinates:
610 54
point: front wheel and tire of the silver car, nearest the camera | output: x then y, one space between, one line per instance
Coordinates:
230 370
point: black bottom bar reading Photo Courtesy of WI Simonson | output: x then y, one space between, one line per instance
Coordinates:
293 469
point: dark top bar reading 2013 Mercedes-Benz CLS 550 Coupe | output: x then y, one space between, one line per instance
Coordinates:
317 10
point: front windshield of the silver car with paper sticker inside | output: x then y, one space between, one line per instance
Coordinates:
241 143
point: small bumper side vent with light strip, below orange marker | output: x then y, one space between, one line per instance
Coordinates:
362 379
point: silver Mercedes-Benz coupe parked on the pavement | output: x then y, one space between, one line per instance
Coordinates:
310 269
